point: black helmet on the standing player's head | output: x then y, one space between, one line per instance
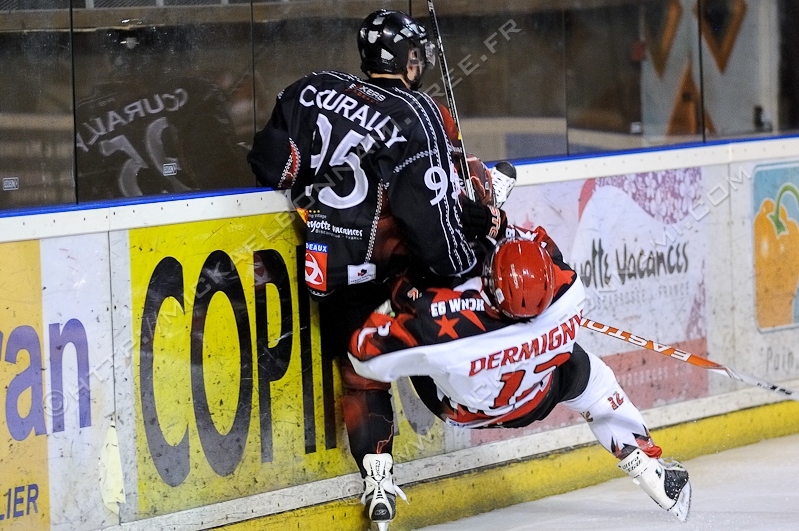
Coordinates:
386 39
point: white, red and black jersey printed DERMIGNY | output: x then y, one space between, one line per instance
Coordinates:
490 370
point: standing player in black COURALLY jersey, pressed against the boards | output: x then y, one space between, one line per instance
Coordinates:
370 167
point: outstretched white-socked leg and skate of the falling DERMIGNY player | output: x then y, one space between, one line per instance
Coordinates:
619 427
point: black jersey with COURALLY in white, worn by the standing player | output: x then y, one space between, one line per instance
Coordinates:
354 153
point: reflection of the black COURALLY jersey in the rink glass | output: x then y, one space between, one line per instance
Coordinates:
145 137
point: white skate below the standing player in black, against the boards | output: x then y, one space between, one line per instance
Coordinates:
380 491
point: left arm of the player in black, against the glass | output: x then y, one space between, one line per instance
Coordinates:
274 157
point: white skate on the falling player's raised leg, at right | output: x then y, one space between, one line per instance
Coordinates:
665 480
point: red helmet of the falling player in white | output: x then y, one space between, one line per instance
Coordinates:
520 278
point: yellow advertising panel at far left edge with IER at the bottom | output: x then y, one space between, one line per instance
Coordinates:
24 484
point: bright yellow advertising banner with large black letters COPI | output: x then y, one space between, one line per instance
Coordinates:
228 378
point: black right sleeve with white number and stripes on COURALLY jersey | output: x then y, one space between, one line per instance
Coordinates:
423 194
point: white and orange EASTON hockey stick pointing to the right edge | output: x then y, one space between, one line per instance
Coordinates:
686 357
